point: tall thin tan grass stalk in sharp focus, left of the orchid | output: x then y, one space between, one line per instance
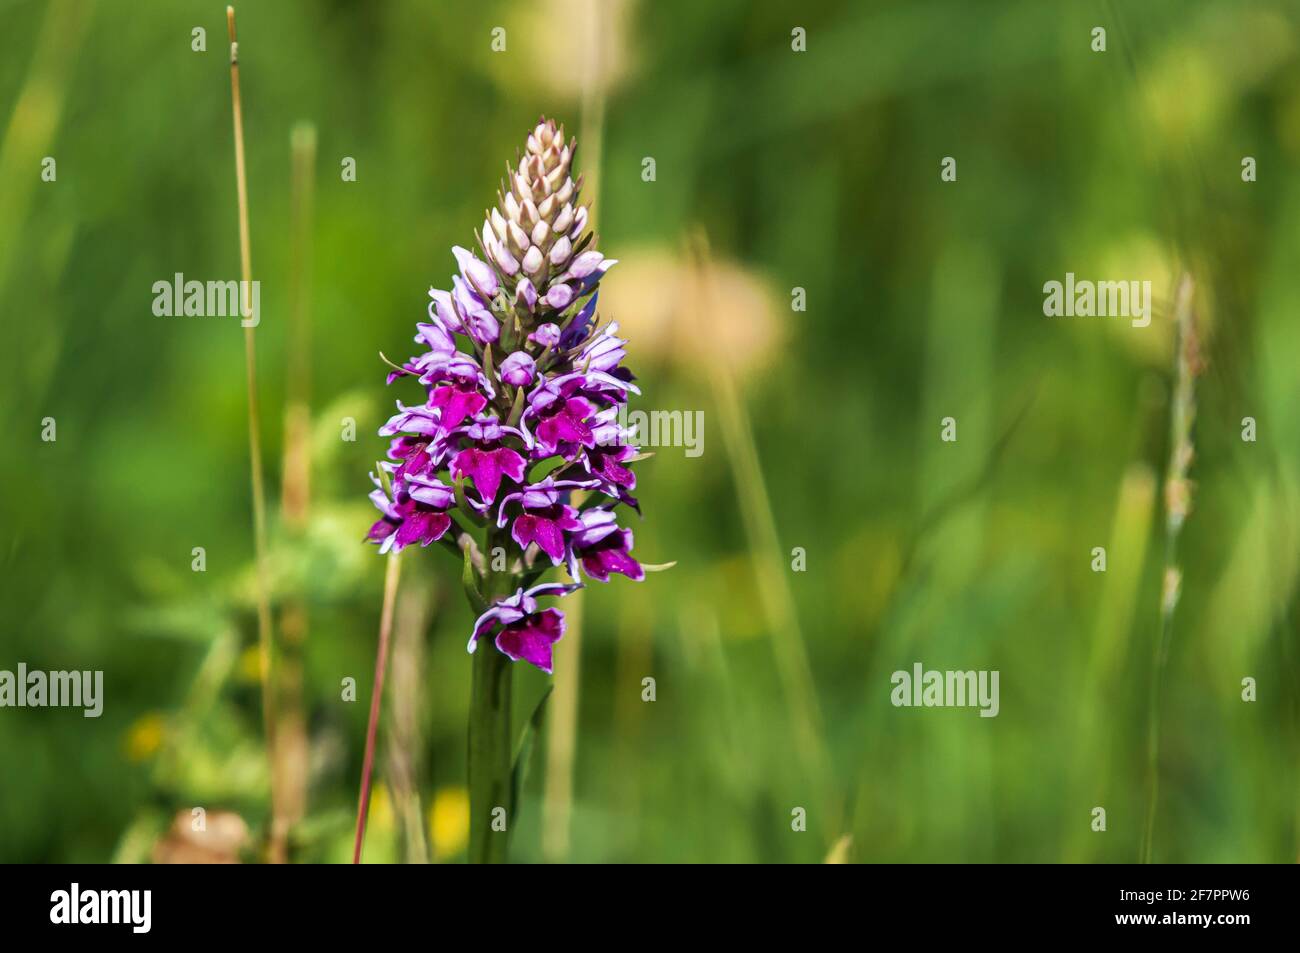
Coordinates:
259 495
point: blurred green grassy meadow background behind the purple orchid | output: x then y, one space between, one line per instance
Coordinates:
775 170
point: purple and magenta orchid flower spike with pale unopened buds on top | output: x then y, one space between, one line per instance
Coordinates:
523 388
